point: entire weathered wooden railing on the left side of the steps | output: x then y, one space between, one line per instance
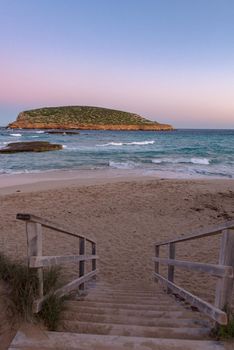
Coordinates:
37 261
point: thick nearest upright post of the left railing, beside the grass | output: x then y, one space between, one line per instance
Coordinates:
34 244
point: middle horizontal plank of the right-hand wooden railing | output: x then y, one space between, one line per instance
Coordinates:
214 270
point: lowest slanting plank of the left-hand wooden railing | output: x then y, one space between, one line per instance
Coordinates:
71 286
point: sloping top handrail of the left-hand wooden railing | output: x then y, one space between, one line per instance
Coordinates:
49 224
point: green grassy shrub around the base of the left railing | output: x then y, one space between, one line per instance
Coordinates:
22 287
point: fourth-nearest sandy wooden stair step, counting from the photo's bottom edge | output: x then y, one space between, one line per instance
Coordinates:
132 306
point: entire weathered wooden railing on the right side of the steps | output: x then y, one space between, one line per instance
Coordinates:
224 271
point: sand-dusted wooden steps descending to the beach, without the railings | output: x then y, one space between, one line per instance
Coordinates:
124 317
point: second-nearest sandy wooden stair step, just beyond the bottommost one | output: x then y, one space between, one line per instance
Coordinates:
133 330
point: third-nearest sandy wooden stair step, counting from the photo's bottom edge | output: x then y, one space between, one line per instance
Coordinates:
139 313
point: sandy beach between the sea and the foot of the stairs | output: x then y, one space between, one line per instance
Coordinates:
125 214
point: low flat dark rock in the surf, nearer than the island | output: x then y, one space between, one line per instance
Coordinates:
38 146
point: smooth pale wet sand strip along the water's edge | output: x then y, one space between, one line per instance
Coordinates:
34 182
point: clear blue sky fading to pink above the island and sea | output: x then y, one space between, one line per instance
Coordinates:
169 60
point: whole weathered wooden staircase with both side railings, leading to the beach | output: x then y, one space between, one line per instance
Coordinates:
130 317
